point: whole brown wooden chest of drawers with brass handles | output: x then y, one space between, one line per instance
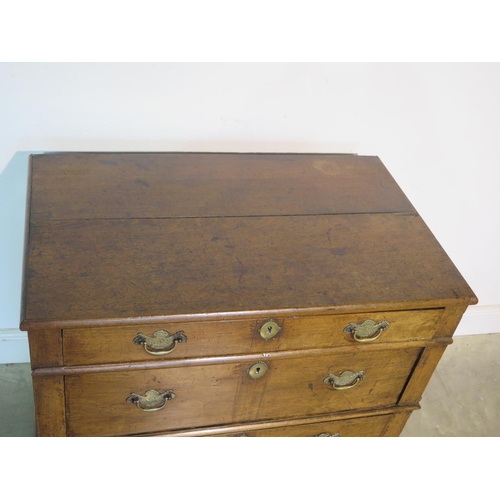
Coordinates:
203 294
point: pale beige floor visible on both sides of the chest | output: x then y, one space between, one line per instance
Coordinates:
462 398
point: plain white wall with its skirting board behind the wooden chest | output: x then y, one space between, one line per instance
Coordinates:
435 126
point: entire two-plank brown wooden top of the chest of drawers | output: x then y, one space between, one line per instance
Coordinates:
116 238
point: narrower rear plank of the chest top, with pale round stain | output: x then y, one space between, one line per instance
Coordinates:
137 185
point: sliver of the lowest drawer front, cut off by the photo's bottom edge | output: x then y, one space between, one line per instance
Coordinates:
352 427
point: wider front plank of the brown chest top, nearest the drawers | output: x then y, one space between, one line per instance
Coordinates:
84 270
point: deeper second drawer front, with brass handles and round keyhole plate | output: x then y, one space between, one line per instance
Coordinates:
156 400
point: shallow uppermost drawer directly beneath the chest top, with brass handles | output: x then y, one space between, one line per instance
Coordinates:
87 346
